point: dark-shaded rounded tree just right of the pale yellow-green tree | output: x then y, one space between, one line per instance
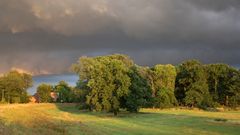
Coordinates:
191 84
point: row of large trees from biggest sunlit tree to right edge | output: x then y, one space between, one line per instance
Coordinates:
114 82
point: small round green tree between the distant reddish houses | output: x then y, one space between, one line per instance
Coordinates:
44 93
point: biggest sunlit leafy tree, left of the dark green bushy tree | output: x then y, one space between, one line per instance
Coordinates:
107 79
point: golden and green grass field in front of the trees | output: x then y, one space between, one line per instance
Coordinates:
66 119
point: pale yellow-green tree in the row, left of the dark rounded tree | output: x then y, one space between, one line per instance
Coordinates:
161 79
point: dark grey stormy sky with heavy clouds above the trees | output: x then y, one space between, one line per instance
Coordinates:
47 36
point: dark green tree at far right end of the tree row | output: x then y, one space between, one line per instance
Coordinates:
224 83
